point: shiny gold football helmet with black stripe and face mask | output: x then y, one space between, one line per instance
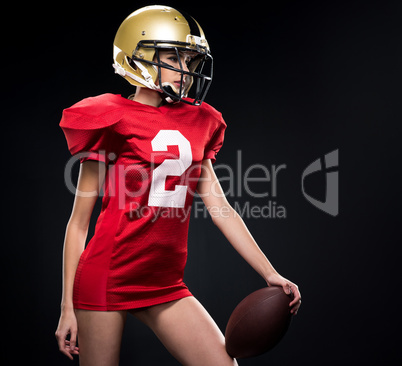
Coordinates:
152 28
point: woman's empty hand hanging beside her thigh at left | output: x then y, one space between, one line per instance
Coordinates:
67 325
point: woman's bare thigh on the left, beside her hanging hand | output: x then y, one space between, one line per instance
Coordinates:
99 336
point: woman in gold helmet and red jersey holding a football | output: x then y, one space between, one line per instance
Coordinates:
150 153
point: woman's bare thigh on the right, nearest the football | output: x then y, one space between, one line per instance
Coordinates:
188 332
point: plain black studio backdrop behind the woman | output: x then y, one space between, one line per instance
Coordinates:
294 81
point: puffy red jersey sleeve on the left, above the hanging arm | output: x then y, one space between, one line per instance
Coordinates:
89 136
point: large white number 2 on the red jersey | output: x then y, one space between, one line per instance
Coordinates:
158 196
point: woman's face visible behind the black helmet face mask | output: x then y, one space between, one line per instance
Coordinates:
170 76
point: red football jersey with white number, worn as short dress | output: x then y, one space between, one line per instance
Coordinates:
137 255
